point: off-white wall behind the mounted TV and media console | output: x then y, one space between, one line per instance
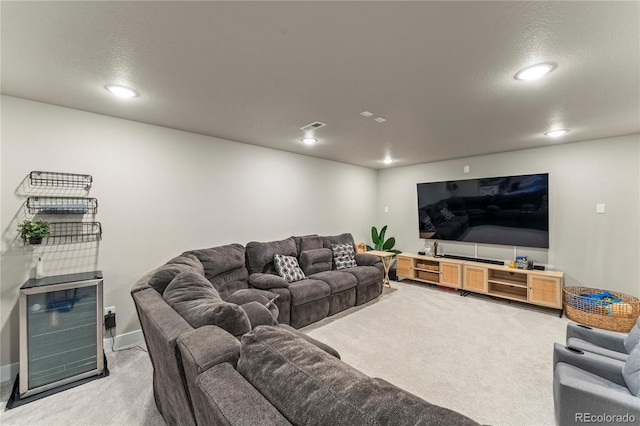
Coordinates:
593 250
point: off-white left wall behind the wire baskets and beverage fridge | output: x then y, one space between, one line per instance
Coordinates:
160 192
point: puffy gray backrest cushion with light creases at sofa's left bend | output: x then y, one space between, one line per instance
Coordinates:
198 302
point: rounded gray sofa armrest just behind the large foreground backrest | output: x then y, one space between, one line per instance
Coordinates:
205 347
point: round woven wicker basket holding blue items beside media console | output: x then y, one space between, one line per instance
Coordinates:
616 315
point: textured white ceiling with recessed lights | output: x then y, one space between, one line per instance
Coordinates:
441 73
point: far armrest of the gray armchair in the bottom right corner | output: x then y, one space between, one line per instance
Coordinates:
605 367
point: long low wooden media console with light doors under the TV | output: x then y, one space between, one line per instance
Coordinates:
543 288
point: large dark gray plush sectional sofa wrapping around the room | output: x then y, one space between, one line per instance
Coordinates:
224 353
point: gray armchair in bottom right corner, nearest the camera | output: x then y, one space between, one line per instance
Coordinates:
594 389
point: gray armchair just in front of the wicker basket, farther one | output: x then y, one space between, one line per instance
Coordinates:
603 342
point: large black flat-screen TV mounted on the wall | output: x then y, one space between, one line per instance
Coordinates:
506 210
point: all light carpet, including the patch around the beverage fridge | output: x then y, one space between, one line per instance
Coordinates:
486 359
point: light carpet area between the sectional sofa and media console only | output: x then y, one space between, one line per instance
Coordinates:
484 358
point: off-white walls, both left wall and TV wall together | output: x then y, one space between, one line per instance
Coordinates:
163 191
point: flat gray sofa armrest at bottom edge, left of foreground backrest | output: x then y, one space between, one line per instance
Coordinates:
223 397
